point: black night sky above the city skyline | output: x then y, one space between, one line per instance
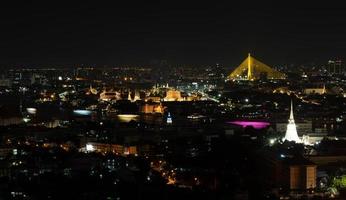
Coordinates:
91 32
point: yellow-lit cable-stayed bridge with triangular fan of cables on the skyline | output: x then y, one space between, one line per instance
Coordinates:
252 69
